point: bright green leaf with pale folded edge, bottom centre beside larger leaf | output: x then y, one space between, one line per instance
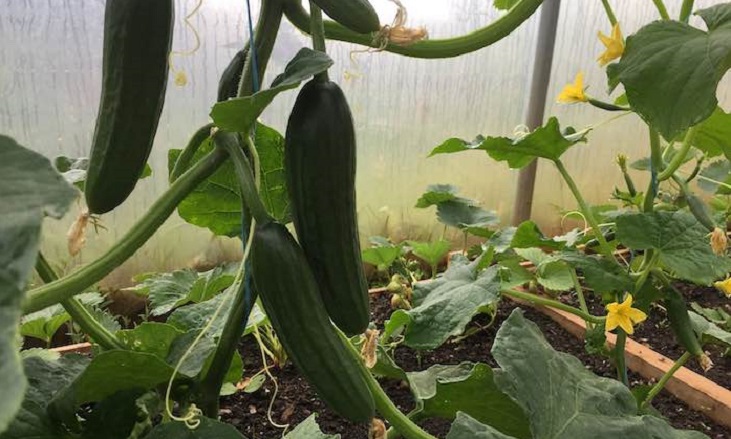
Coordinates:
442 391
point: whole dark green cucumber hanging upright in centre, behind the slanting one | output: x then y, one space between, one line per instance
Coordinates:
319 163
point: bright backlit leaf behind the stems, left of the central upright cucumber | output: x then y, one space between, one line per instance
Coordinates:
216 202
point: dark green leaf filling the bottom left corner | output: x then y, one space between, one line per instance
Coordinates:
46 377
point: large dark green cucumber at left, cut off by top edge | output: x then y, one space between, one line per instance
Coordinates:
137 38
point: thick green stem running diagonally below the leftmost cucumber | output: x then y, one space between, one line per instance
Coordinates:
138 234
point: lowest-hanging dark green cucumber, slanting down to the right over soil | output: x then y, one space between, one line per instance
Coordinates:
289 294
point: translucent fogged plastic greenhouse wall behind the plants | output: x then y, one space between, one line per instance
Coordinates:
50 79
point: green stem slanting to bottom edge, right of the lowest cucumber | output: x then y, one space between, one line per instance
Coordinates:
400 422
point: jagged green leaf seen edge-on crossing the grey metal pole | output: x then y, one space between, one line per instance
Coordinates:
547 142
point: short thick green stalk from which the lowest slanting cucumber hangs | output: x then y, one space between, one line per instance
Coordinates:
229 143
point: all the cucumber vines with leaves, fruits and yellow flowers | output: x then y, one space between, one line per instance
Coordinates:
161 380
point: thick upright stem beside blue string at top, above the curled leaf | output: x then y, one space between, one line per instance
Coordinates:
265 35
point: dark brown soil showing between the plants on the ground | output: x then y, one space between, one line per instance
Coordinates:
295 400
